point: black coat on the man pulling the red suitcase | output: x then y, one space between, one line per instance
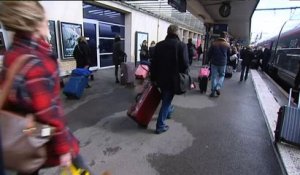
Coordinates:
163 66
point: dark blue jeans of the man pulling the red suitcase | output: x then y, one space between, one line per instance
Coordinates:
166 97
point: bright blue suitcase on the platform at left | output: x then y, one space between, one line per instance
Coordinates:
75 86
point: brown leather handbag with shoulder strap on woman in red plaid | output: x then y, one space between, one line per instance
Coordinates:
23 139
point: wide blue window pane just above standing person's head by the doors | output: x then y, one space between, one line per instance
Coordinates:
108 30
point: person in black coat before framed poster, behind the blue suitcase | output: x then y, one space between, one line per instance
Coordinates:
82 53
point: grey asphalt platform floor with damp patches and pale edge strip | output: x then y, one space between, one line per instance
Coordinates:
225 135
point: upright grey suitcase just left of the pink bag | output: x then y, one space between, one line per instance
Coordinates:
127 73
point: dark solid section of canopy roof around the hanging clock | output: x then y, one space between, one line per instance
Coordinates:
238 19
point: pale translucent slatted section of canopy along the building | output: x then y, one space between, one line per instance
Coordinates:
163 10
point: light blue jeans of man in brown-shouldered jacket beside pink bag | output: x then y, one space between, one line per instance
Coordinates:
217 77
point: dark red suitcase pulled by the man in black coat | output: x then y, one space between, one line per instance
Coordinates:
145 106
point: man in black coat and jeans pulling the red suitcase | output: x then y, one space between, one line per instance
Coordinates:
163 69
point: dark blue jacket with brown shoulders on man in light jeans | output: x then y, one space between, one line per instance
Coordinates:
219 52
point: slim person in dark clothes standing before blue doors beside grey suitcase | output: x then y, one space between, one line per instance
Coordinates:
119 55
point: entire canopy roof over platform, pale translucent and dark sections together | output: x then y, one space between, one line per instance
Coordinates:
200 12
